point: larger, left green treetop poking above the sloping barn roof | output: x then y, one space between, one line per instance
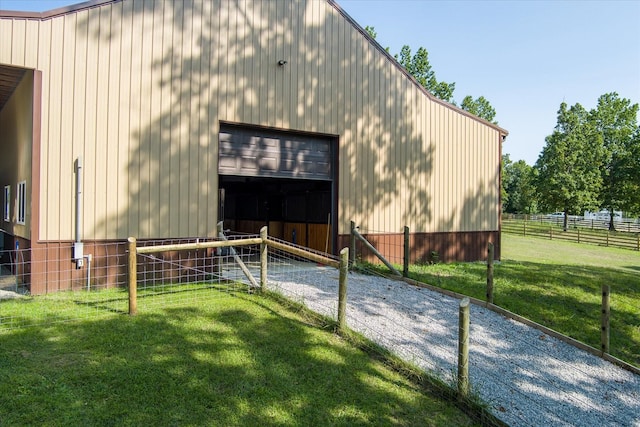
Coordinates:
419 67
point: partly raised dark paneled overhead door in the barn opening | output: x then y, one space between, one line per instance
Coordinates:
266 153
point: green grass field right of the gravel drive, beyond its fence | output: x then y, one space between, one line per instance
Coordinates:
557 284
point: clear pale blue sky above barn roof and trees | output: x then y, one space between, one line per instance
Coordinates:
525 57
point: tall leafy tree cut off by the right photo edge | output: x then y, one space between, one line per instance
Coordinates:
615 120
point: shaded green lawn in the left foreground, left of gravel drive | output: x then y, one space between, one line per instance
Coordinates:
230 360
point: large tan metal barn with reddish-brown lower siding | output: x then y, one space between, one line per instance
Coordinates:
183 113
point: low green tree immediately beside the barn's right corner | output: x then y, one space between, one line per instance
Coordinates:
519 185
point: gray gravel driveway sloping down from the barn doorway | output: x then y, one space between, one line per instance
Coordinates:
528 378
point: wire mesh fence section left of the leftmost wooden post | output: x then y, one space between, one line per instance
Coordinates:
94 290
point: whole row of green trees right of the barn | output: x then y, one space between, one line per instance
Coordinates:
590 161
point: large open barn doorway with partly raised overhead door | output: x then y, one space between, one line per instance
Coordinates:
280 179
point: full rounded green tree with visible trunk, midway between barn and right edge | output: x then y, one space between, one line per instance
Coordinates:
568 177
